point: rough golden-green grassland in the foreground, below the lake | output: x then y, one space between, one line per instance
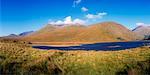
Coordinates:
19 58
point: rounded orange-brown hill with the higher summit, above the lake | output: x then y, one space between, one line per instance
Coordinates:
107 31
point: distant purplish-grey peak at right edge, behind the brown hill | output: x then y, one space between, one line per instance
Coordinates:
142 30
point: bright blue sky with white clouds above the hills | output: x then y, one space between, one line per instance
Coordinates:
18 16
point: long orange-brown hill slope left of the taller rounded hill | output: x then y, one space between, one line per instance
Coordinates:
55 34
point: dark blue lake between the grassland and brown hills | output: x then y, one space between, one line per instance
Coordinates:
100 46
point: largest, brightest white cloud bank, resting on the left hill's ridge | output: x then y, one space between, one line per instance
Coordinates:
68 20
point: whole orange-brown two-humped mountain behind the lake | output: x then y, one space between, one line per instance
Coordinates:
101 32
